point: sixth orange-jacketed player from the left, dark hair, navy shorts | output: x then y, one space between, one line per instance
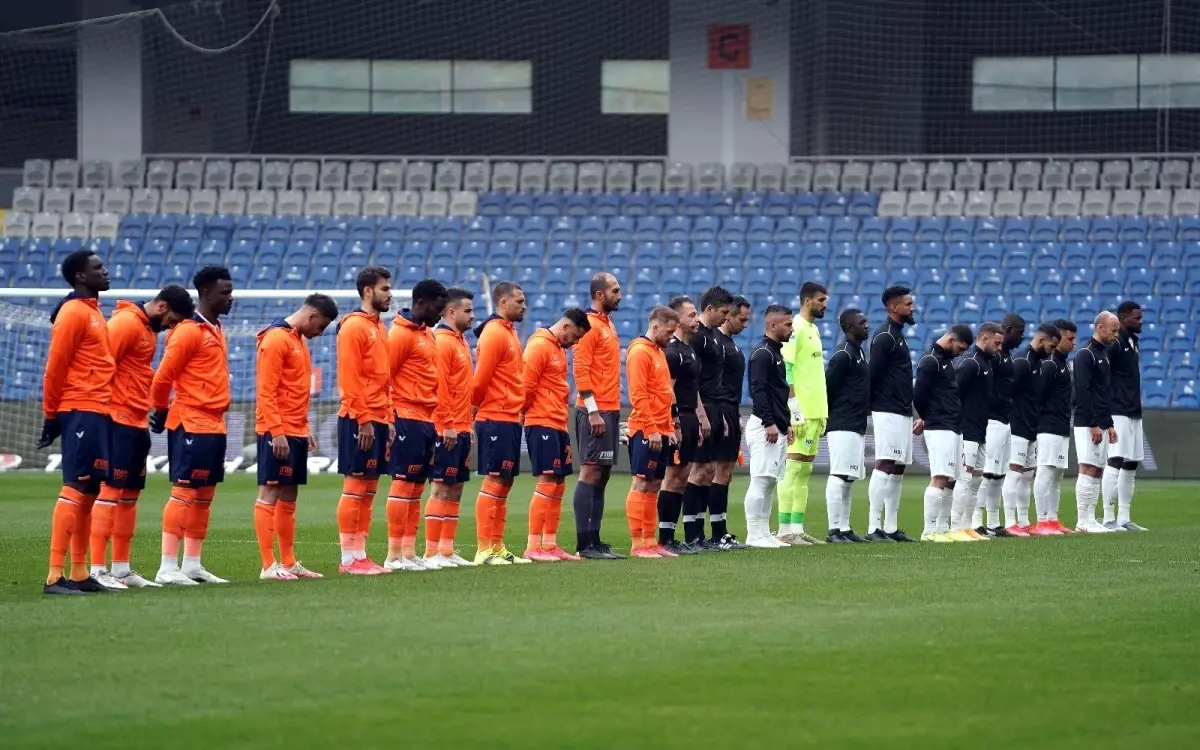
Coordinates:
415 395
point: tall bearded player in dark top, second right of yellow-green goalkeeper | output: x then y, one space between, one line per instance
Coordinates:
891 416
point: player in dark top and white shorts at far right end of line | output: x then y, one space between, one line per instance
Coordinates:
1130 451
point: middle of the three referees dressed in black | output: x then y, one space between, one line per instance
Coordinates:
715 308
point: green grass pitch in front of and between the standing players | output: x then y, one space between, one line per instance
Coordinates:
1077 643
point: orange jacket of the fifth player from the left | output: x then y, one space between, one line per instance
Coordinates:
363 369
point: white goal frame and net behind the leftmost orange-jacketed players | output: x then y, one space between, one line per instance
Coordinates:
26 335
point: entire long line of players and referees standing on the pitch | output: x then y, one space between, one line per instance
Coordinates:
413 406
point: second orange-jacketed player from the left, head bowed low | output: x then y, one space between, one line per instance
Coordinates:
134 340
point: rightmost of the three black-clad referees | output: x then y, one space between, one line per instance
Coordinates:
734 376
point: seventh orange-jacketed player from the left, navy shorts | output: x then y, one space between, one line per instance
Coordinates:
452 421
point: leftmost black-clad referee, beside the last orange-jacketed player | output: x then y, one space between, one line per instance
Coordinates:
694 427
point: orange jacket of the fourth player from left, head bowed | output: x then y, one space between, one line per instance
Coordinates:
283 382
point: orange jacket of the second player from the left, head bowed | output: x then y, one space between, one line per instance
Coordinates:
134 345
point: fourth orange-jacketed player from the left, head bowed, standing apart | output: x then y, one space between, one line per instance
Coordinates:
284 391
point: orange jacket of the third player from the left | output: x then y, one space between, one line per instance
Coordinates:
196 365
